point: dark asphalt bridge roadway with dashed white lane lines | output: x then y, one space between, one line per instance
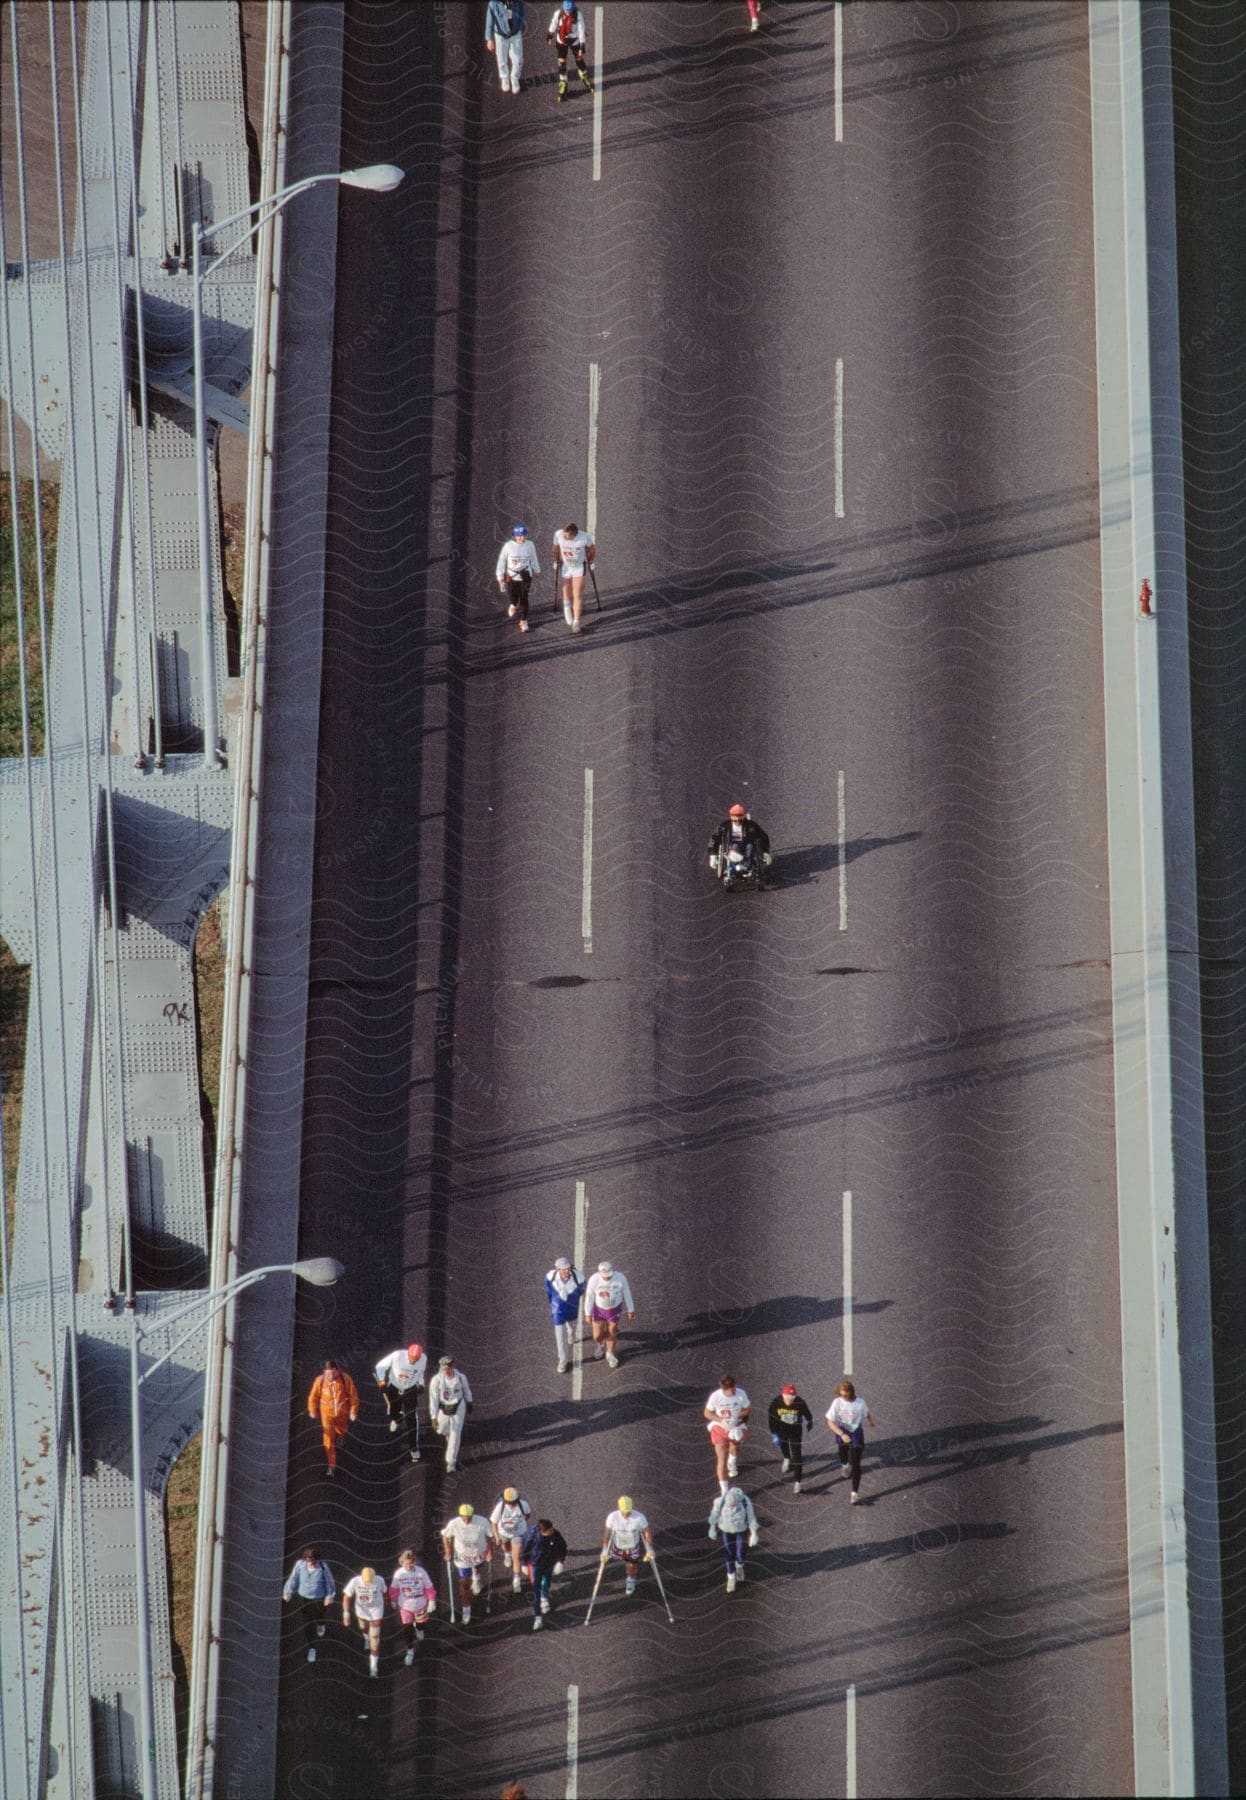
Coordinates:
845 489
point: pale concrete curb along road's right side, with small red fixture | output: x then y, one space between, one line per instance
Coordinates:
1175 1601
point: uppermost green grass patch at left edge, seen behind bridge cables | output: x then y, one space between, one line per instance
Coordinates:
19 553
